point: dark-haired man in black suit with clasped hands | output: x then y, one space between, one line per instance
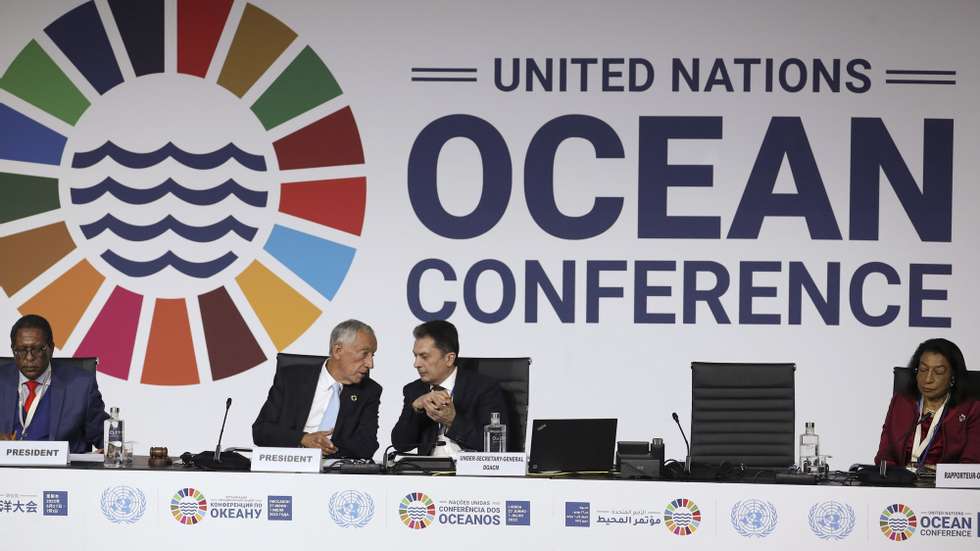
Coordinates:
446 409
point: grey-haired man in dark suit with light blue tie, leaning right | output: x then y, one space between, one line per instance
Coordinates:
333 406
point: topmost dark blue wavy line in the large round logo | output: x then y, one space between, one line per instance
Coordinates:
200 161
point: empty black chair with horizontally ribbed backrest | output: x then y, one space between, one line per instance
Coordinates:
743 413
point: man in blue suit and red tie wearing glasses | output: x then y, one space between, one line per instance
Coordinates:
41 401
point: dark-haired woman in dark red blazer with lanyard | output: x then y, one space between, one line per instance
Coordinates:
932 420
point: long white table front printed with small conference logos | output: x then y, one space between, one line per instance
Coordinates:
183 508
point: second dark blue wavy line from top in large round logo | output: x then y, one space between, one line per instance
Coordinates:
134 196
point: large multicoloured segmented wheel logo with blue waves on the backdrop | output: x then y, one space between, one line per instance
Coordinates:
165 197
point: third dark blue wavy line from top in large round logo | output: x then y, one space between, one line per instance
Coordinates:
199 234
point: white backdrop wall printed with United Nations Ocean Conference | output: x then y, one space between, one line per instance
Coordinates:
614 365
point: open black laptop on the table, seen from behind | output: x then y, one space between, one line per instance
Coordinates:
557 445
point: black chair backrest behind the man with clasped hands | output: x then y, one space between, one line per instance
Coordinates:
512 374
